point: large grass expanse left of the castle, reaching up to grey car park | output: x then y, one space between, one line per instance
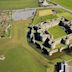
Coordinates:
20 57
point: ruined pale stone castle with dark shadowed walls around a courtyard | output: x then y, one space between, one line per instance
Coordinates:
39 35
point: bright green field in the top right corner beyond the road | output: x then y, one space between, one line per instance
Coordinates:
65 3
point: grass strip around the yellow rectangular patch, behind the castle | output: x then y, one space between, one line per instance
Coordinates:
60 12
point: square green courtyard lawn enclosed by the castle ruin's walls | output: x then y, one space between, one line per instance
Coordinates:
57 32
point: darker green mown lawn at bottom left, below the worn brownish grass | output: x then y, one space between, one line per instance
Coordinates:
18 59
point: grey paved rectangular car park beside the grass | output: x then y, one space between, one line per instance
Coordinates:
23 14
